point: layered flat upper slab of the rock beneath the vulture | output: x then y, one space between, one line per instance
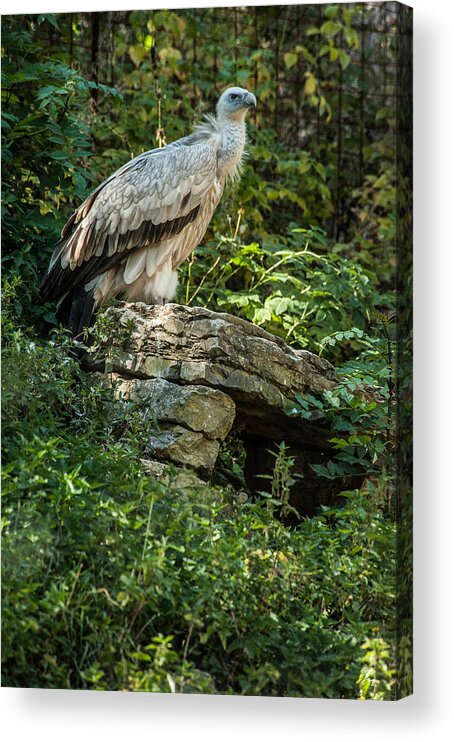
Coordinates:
196 347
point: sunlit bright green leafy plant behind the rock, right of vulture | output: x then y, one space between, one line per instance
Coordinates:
296 287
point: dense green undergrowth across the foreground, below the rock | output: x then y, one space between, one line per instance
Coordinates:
100 561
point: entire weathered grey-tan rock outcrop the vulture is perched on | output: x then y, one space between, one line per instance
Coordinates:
199 374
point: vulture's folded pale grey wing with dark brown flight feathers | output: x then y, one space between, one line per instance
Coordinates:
146 201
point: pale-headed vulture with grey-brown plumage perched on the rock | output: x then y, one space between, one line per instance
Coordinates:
133 231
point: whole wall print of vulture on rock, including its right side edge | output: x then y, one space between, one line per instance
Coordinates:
208 489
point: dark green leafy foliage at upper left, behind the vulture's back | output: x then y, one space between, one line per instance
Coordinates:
46 140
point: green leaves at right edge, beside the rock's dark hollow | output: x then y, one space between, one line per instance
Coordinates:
359 410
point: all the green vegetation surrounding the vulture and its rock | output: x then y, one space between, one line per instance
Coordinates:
111 578
